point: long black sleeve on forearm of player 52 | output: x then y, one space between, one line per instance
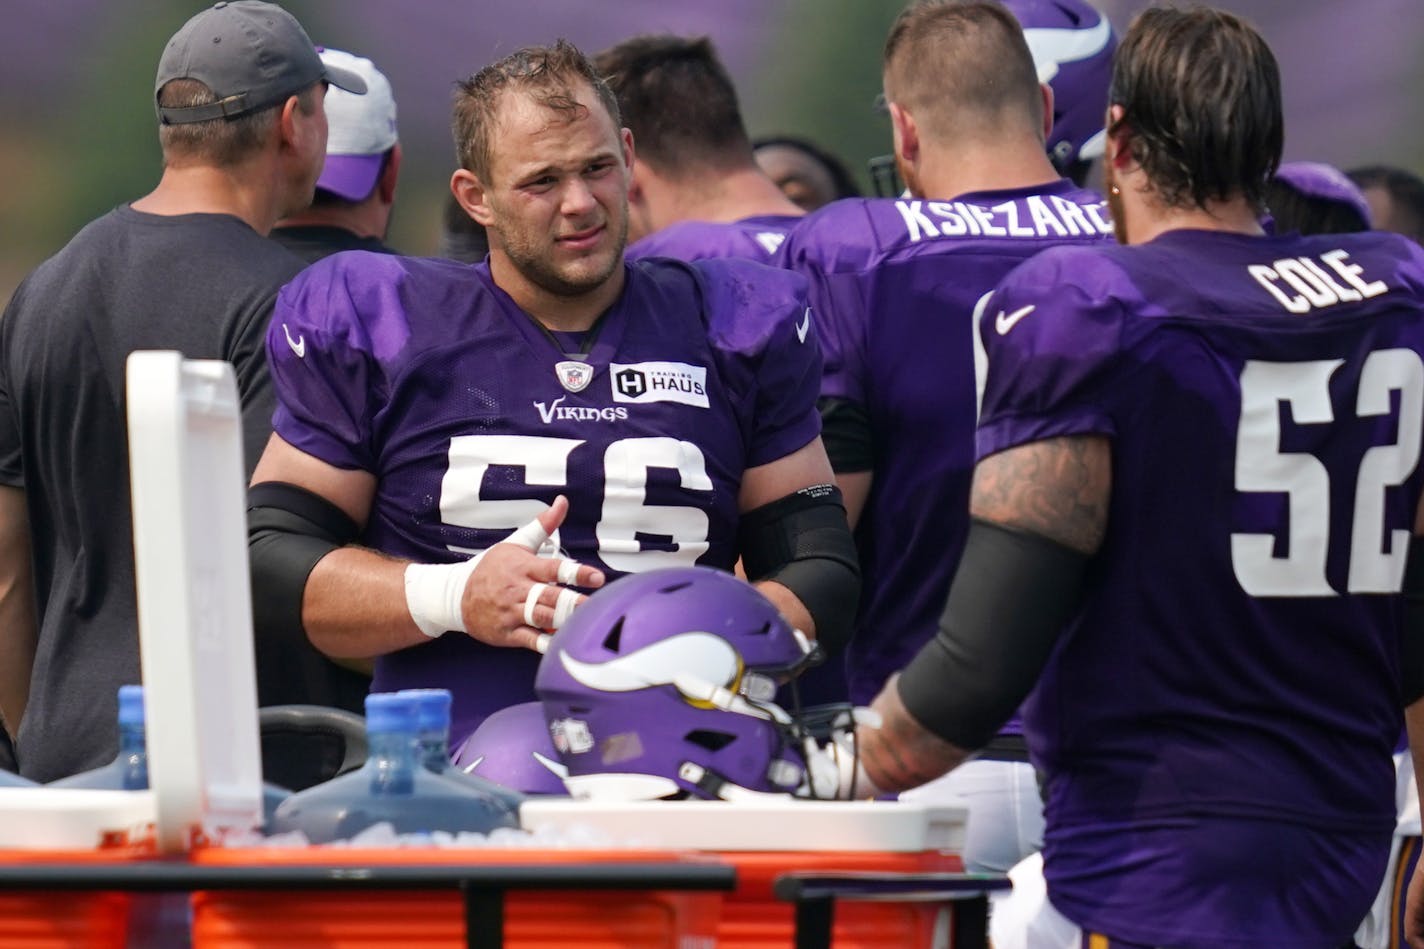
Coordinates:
1012 596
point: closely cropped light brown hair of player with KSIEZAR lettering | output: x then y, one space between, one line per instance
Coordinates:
956 65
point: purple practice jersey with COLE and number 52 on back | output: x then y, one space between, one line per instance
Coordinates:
1218 720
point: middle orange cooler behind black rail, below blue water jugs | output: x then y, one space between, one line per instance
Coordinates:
435 920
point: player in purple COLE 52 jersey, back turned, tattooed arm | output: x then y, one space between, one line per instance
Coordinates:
1195 501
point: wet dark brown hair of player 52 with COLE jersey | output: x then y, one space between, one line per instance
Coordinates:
1201 99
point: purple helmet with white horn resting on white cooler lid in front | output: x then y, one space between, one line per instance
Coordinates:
661 685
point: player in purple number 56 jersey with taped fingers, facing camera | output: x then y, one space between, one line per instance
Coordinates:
627 415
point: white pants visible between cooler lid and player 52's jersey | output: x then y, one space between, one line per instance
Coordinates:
1006 820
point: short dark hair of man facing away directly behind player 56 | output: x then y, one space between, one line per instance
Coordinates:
679 102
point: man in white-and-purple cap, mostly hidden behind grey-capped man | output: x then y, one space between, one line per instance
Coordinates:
357 192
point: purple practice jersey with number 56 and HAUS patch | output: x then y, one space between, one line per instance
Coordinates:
473 420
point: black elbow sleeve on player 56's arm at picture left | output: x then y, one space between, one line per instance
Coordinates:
290 529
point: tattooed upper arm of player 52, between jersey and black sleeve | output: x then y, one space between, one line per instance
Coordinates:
1059 489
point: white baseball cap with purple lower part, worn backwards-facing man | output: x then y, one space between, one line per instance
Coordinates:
362 129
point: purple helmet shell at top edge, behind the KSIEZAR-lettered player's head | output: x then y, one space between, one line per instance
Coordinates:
1073 46
